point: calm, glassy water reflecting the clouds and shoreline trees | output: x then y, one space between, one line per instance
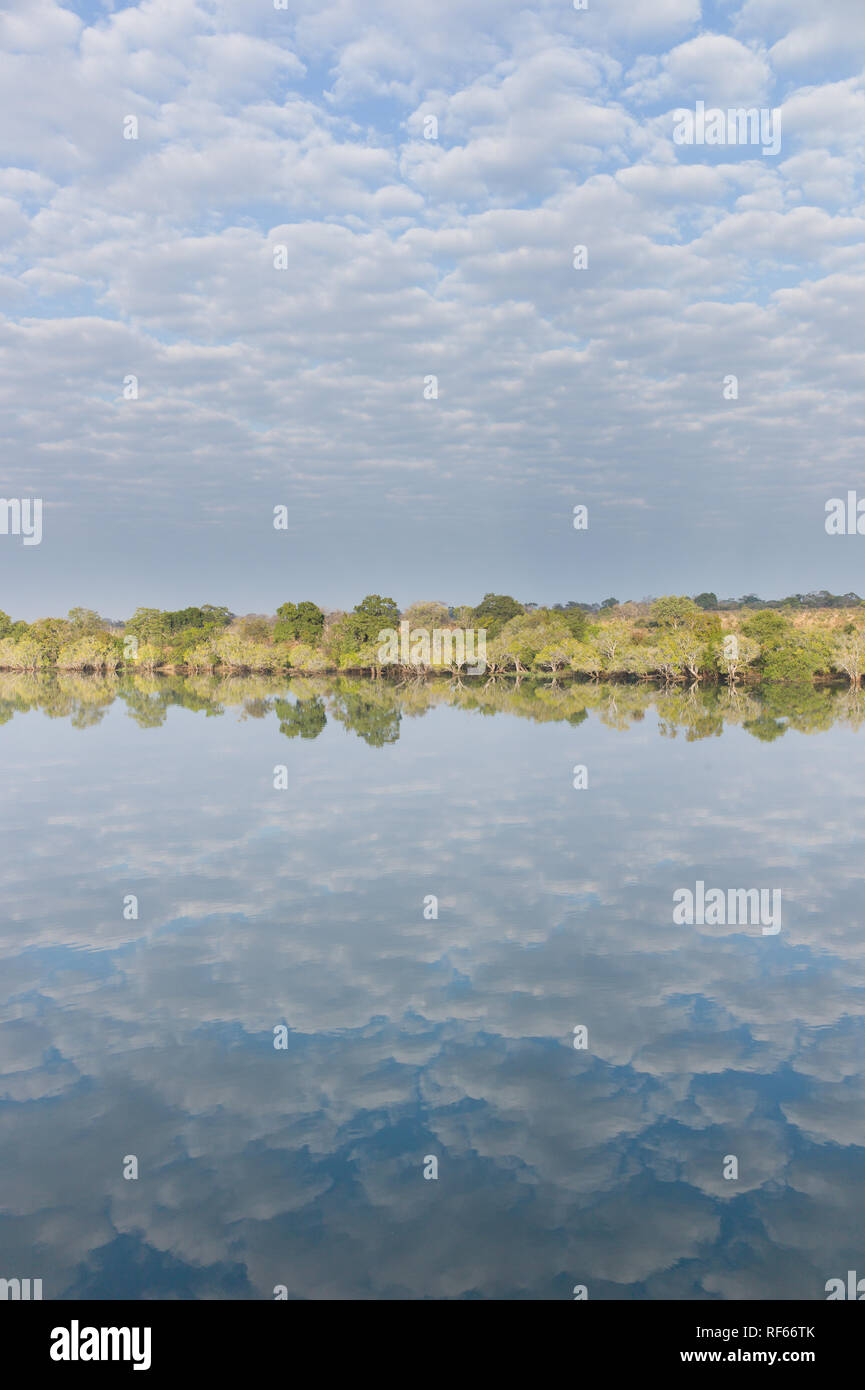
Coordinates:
411 1036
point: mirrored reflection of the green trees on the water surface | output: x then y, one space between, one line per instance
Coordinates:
375 710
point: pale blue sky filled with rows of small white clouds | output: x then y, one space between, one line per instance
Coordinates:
414 251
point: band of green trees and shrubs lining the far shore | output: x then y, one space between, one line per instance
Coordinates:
674 640
